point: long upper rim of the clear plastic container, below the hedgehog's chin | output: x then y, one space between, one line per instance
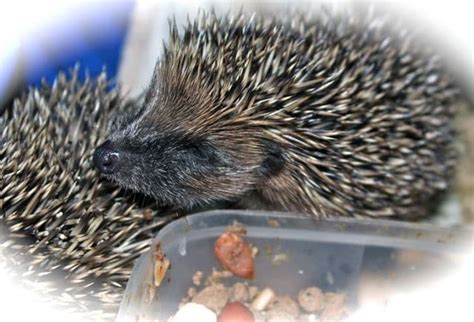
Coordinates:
372 231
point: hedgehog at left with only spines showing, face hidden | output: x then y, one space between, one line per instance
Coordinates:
64 232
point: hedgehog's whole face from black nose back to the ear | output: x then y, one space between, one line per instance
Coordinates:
177 167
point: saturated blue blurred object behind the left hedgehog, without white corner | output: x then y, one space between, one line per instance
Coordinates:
94 41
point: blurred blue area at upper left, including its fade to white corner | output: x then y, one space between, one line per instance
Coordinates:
39 38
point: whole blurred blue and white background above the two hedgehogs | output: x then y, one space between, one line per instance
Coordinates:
39 38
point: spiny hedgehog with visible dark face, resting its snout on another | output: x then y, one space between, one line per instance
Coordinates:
330 115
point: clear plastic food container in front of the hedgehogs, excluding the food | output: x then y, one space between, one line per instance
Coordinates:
333 254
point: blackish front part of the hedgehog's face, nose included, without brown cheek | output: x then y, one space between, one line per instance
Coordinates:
169 167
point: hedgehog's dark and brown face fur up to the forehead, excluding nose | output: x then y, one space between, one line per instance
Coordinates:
166 153
